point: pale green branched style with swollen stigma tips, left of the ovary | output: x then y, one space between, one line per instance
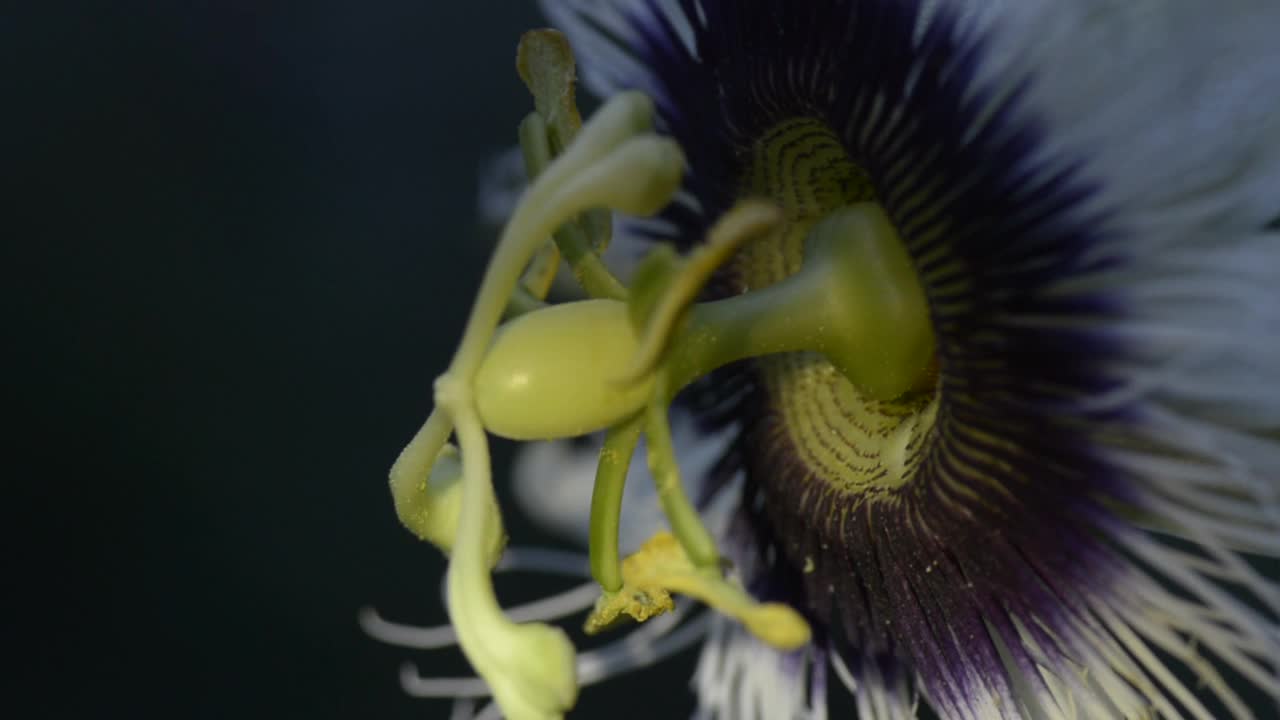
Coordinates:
531 668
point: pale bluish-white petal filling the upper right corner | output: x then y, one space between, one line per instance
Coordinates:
1172 104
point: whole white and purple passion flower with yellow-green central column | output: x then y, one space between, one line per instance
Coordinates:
954 362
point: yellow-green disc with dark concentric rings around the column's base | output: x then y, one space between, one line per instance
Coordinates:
853 444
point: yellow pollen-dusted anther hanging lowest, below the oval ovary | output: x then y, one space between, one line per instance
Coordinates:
661 568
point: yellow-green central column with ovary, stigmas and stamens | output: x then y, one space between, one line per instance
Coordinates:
616 362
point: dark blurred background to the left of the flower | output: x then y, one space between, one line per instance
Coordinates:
246 239
